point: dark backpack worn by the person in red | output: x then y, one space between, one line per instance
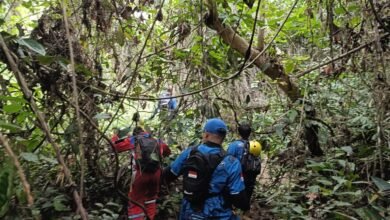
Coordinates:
147 153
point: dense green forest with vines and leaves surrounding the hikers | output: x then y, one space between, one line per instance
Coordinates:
310 76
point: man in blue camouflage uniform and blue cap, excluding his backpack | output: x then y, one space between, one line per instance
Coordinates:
226 187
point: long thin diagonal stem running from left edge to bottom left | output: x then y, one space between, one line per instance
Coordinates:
44 126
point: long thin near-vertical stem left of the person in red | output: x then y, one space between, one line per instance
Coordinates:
75 100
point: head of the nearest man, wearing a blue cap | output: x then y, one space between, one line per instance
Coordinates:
214 131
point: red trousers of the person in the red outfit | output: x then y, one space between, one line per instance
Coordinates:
144 191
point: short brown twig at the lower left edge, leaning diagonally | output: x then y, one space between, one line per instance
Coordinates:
26 185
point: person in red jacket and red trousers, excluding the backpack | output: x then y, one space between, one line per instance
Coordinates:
145 186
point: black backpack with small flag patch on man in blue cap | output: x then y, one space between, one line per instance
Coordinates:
197 171
